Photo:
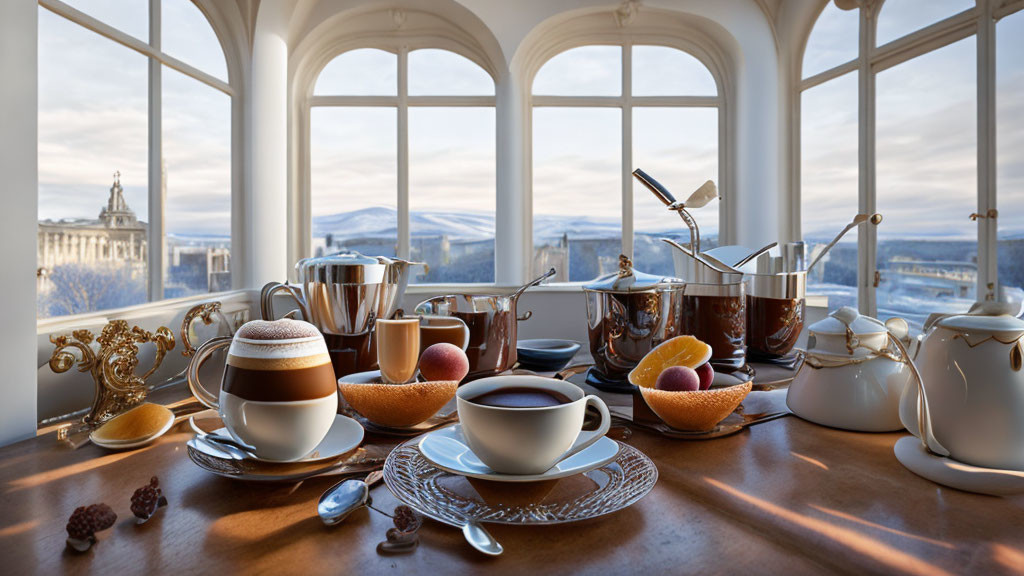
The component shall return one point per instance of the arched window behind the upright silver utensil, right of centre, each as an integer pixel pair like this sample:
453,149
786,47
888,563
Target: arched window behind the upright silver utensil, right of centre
600,112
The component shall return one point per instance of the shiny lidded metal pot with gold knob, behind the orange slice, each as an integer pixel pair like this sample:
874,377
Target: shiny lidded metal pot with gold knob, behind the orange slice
628,314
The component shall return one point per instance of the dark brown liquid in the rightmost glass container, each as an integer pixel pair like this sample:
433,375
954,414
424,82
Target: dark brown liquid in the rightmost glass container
774,325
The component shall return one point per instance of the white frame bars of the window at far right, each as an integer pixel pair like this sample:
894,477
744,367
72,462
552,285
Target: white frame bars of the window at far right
978,22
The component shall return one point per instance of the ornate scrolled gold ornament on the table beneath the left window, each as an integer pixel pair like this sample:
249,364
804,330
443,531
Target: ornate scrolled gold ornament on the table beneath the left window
118,388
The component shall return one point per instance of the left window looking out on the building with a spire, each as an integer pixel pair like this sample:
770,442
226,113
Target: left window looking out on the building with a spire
135,155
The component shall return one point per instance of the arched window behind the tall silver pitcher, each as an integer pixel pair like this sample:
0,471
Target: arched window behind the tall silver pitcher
403,160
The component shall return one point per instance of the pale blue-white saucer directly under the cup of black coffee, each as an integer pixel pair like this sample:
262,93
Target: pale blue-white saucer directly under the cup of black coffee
447,449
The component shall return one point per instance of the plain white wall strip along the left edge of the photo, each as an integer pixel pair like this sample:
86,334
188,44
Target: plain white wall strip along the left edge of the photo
18,220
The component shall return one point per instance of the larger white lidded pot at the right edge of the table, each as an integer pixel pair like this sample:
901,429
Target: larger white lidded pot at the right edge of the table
972,376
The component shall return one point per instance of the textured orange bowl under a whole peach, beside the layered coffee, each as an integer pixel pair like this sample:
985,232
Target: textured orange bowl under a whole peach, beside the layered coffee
398,405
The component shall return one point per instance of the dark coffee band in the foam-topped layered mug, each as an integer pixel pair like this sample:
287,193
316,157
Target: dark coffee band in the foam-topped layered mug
281,386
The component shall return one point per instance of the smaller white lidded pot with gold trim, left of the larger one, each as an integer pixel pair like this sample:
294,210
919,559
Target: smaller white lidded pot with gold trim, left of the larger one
854,376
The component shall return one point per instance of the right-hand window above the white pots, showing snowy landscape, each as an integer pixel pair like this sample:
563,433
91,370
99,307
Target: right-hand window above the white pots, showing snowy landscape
921,157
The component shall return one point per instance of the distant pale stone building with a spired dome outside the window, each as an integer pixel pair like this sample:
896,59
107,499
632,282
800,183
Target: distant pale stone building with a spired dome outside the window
117,238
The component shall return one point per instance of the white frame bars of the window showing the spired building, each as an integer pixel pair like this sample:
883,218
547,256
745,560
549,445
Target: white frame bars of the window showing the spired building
157,60
